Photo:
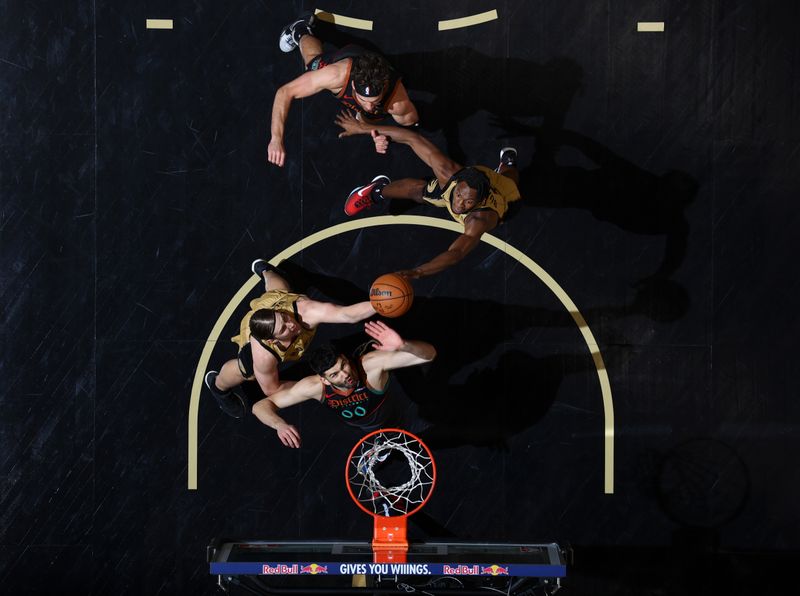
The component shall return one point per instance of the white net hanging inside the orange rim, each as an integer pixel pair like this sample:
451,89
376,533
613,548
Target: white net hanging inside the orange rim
392,500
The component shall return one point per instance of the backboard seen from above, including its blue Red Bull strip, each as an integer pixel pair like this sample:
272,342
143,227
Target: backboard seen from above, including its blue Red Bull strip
436,567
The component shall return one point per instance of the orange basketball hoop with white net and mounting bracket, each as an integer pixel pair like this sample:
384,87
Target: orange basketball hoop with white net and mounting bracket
403,462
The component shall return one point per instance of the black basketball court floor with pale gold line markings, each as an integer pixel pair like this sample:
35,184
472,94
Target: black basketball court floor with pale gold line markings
614,361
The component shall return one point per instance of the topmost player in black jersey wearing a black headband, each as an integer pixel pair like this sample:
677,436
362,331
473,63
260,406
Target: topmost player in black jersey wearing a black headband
361,80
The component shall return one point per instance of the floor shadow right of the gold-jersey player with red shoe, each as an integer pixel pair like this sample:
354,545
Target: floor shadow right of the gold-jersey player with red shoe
615,190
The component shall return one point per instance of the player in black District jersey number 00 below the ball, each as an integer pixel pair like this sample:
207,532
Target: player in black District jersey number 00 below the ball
356,389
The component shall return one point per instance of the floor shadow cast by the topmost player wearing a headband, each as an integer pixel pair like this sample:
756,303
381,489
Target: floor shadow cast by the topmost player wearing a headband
452,84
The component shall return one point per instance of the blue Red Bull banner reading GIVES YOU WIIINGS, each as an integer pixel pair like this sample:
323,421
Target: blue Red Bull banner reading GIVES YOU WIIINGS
422,568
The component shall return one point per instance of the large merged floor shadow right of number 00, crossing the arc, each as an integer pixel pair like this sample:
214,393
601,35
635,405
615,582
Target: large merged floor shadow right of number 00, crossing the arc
518,387
